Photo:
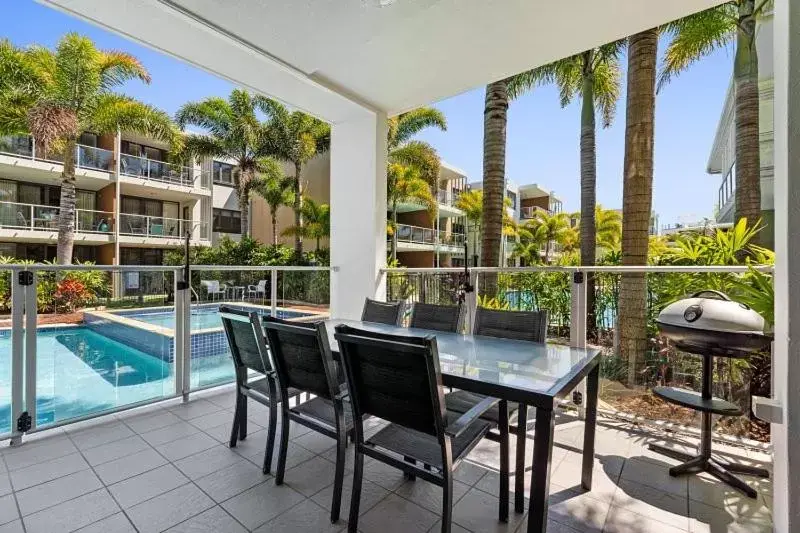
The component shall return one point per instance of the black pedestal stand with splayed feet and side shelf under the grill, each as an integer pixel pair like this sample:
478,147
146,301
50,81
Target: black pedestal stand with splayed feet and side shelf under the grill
720,469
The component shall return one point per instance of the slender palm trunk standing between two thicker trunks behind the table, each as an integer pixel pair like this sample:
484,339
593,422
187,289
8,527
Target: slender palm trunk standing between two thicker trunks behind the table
588,149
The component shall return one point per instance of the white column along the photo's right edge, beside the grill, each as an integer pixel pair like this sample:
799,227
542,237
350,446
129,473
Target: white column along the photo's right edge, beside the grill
786,352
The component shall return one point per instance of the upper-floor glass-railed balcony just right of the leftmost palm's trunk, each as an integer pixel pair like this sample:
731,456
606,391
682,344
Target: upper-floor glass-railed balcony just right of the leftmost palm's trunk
141,176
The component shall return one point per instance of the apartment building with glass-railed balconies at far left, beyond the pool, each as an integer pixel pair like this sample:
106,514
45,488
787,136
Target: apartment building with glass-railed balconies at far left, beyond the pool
132,204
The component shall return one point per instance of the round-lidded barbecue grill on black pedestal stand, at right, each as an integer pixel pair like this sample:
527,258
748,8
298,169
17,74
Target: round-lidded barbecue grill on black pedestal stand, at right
709,324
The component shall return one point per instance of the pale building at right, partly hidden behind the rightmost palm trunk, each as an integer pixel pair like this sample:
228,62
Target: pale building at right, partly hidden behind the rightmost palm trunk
722,160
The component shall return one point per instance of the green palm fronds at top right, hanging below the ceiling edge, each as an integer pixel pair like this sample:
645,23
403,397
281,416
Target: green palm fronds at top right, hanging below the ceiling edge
695,37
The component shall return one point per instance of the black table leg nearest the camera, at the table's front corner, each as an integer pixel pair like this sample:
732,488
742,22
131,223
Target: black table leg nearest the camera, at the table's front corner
540,480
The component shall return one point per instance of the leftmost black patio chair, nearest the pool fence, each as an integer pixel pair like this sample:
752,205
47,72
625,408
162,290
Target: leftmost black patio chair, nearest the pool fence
249,351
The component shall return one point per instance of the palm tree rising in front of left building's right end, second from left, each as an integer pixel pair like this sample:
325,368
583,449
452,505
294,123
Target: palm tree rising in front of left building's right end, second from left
233,132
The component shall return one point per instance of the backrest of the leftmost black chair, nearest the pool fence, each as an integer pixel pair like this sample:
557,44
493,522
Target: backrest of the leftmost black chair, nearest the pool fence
245,338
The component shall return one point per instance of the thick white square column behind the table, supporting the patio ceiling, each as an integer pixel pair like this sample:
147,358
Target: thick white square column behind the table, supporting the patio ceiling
358,212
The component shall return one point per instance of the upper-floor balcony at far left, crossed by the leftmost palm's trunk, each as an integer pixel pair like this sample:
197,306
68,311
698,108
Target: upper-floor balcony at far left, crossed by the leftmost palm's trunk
21,157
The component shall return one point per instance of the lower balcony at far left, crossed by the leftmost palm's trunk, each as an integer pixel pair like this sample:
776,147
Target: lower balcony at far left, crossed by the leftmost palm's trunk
21,222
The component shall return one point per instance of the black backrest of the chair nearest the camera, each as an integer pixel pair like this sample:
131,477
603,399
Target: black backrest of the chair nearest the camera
396,378
